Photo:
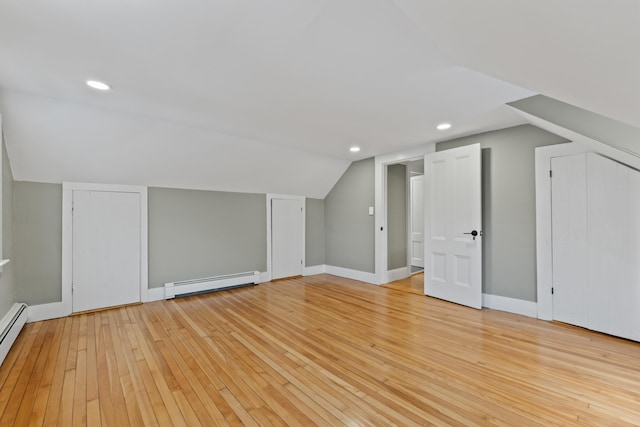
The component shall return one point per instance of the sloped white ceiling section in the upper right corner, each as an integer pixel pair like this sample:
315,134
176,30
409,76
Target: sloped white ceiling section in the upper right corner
584,53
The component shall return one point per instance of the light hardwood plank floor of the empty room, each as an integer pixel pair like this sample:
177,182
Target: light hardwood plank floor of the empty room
319,350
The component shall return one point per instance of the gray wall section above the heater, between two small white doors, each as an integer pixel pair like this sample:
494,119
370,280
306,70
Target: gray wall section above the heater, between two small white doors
194,234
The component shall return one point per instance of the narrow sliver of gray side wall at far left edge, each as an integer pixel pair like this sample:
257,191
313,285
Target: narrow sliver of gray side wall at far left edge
7,281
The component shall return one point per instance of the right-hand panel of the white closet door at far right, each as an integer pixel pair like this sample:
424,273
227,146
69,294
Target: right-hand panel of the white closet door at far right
613,192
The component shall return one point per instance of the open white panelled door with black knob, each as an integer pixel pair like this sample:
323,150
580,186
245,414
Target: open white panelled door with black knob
453,255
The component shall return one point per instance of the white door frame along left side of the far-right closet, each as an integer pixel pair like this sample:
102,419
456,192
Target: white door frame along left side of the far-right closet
544,236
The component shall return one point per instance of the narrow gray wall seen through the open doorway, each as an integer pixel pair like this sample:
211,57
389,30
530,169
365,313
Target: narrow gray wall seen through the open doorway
396,216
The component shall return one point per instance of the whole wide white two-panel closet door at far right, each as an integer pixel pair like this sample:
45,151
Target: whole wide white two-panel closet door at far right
596,244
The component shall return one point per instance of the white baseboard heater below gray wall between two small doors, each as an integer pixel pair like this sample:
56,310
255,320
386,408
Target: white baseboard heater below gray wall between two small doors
198,286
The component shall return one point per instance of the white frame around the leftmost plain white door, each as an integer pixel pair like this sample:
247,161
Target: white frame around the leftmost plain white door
67,237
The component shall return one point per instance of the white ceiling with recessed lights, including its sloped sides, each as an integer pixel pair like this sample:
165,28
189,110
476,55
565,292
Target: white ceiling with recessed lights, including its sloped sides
247,95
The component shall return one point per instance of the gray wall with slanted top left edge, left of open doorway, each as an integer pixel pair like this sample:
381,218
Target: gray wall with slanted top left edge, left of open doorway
349,229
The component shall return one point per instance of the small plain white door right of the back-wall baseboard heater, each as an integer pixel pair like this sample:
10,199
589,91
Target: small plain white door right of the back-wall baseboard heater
286,238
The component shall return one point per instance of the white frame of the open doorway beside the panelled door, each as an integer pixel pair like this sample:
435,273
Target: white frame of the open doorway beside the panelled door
380,171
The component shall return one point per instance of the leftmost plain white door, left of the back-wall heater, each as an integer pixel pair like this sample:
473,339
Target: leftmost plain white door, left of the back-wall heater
106,249
